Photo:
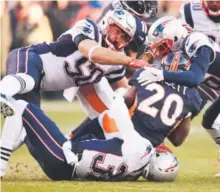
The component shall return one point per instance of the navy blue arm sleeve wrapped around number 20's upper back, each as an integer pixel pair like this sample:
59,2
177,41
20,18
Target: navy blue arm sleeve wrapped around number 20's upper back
195,75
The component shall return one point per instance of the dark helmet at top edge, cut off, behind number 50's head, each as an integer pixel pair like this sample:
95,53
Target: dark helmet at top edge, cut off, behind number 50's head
144,9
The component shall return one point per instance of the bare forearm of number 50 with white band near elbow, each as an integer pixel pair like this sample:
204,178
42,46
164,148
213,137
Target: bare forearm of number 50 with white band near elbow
102,55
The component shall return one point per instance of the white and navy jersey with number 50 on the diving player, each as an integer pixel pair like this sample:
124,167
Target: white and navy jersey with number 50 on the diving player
65,68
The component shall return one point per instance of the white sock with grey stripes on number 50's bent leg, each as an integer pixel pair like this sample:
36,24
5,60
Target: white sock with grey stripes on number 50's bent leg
19,83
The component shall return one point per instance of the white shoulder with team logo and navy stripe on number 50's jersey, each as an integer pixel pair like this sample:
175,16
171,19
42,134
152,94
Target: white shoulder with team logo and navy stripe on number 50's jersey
84,27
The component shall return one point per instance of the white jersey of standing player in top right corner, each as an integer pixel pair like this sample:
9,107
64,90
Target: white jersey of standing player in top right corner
192,14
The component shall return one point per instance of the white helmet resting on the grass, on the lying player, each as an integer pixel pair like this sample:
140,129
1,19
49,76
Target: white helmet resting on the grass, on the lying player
163,167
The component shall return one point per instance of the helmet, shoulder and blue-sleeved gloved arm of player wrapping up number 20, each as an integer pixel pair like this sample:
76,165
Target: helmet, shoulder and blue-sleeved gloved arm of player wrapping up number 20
168,34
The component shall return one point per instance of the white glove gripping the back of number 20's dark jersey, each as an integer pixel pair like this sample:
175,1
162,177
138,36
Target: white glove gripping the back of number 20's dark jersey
150,75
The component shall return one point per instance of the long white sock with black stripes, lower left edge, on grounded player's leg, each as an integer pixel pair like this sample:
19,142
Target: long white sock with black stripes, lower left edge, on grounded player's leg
11,133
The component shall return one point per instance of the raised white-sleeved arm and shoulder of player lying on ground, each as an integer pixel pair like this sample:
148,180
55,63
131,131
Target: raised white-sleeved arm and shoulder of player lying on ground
134,146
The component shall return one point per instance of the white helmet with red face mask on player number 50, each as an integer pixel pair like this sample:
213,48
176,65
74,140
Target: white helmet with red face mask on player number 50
114,20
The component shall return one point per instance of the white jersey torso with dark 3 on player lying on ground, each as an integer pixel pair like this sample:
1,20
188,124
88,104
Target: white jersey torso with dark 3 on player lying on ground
95,165
